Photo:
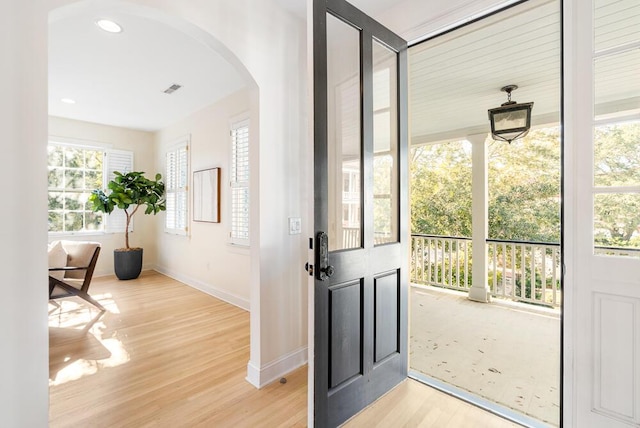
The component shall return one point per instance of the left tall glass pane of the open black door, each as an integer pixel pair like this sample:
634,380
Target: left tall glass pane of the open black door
343,135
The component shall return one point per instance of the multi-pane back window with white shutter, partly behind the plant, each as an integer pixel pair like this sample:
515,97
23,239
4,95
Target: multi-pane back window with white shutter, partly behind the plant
73,172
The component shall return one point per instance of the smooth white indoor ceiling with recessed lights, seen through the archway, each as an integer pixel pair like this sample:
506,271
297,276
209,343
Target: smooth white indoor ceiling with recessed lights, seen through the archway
119,79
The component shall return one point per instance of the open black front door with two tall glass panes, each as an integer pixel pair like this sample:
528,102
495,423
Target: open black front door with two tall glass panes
361,211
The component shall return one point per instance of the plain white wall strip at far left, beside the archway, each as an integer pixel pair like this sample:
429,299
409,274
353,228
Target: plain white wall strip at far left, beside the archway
23,220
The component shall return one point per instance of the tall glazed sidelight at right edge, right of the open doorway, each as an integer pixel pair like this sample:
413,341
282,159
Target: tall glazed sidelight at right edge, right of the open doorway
616,132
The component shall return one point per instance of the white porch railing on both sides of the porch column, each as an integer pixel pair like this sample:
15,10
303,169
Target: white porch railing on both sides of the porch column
522,271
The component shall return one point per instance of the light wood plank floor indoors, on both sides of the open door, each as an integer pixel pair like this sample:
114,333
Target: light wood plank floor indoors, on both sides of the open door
166,355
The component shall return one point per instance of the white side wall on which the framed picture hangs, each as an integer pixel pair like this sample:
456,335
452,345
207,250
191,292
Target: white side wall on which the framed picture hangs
205,259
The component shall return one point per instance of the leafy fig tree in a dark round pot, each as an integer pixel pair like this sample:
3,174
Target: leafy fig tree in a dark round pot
129,192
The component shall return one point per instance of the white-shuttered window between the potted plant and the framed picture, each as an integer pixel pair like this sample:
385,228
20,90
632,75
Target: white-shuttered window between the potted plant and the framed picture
176,181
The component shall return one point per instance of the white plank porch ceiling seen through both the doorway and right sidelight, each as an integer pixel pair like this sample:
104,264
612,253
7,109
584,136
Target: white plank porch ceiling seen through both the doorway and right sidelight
456,78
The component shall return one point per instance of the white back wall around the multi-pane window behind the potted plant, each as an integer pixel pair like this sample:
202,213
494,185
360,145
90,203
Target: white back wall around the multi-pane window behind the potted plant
142,145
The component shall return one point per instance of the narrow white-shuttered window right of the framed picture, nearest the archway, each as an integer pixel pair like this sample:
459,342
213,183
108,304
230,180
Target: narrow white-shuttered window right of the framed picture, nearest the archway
240,183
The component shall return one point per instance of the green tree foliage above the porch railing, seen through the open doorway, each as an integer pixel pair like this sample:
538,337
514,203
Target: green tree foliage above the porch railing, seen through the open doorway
524,188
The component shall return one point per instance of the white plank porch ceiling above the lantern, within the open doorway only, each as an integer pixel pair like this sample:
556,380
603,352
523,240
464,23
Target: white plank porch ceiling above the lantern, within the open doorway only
454,79
